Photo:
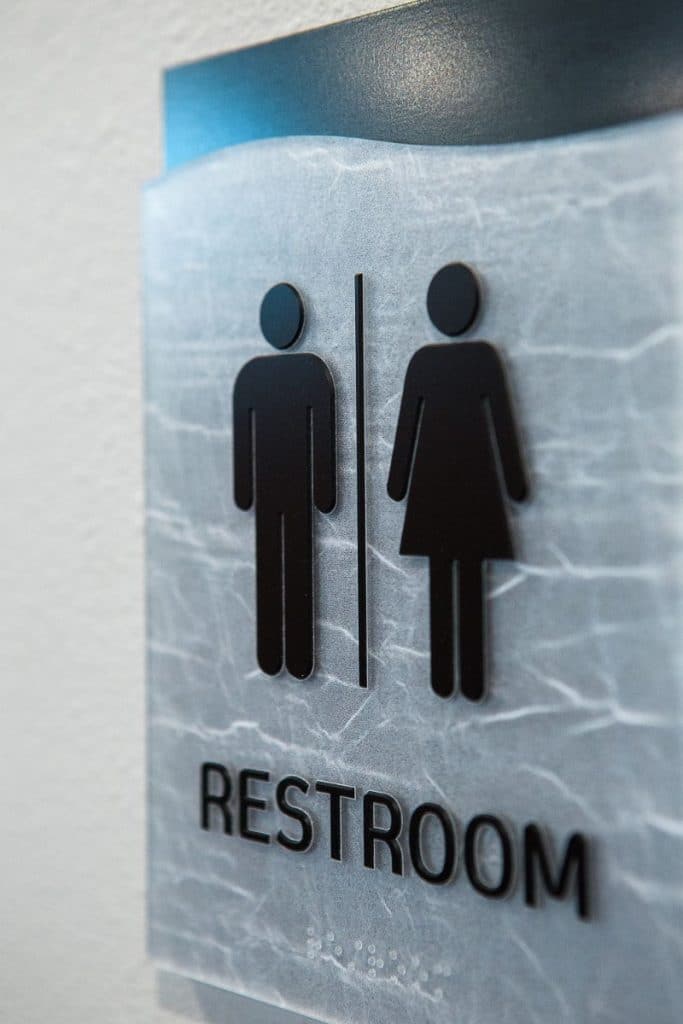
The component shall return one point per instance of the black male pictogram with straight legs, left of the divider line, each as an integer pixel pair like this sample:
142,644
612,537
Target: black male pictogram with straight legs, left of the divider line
284,451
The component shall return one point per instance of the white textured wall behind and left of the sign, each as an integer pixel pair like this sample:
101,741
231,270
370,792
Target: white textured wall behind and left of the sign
80,132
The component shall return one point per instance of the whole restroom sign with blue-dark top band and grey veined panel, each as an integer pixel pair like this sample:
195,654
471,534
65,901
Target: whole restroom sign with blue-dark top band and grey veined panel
412,394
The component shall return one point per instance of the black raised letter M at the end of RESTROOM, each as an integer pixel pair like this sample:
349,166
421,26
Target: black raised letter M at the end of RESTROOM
575,865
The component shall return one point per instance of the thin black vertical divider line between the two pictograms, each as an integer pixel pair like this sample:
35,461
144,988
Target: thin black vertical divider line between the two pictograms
361,481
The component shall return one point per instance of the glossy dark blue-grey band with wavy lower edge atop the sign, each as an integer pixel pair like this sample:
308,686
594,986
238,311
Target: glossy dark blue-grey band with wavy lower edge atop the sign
439,73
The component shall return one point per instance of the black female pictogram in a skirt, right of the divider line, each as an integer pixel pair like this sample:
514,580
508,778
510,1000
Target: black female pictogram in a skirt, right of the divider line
456,428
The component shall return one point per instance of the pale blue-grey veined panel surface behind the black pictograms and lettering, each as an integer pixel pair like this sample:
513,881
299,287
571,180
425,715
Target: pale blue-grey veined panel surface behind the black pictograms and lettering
578,243
